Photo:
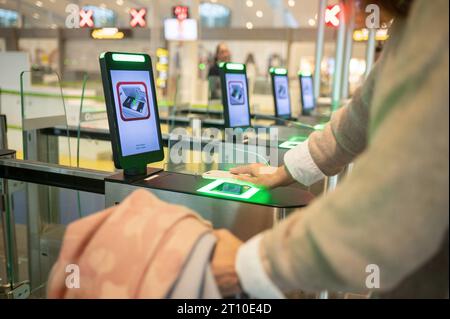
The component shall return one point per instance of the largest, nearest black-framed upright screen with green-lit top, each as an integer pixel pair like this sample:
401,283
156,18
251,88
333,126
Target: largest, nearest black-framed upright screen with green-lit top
132,109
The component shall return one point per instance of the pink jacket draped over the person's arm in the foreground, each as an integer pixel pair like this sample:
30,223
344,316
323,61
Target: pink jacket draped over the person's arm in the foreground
134,250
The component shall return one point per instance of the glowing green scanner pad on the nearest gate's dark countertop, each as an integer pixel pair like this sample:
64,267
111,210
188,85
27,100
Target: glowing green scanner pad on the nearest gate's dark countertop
230,188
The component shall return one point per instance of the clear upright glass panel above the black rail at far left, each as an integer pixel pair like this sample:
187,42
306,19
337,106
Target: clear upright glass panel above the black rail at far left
45,116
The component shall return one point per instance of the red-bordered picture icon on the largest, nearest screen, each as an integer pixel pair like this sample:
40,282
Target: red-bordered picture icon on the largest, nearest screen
133,101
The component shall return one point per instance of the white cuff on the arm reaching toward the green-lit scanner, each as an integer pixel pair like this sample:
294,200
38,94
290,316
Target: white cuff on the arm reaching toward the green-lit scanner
301,166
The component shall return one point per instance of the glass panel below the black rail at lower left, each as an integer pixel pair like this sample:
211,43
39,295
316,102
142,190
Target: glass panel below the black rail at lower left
40,216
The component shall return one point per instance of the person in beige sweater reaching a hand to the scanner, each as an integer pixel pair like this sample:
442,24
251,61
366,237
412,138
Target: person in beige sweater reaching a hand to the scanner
391,213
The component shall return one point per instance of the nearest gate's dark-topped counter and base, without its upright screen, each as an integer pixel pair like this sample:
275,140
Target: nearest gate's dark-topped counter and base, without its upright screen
244,210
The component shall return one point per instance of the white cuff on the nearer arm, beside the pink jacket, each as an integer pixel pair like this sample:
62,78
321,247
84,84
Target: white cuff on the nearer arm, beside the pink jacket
252,276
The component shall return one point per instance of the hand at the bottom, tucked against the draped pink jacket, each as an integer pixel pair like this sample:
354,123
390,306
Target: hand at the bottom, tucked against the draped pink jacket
223,263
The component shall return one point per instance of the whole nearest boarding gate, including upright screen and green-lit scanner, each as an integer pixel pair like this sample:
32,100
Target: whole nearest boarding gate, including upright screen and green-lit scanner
241,208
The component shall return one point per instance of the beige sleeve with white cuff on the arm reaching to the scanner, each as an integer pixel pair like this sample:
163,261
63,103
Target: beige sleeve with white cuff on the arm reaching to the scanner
327,152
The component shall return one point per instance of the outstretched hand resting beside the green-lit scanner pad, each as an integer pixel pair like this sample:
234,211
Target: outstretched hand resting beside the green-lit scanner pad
255,174
